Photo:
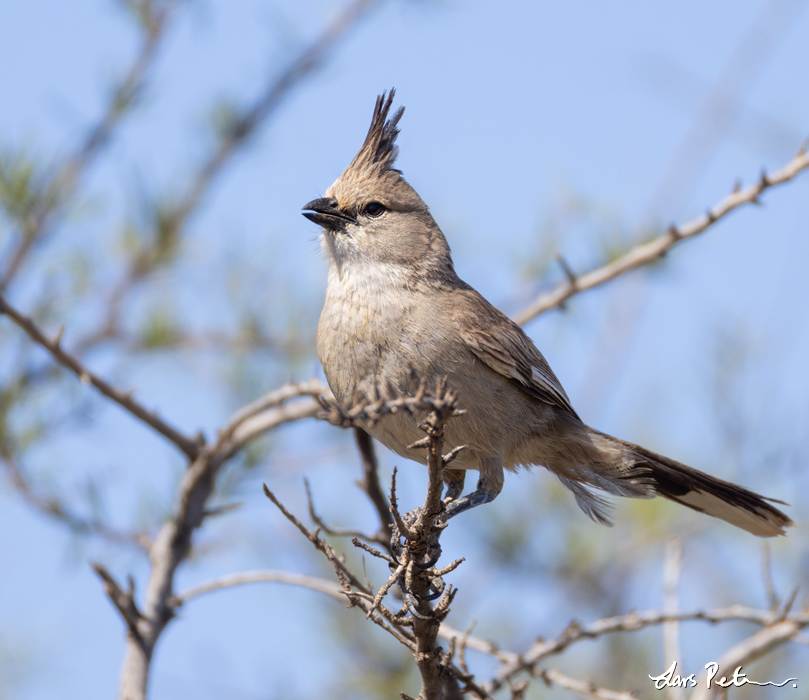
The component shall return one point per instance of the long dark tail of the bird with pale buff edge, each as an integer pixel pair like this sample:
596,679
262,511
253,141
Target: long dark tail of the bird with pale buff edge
695,489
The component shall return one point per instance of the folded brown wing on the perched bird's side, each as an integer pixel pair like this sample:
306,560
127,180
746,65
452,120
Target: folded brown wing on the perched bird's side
504,347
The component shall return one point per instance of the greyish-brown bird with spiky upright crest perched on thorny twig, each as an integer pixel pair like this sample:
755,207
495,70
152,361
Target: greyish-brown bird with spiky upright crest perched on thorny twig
396,311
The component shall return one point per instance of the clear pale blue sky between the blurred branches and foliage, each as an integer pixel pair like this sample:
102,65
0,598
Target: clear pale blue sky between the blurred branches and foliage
512,110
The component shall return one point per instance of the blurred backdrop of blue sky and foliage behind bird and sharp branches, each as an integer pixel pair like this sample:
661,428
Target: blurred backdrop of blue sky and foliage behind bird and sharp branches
531,129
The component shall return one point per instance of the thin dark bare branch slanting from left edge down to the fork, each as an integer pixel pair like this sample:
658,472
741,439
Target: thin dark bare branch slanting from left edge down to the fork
190,447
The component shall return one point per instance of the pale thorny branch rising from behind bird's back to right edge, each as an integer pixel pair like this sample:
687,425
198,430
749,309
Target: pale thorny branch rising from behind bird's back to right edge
650,251
